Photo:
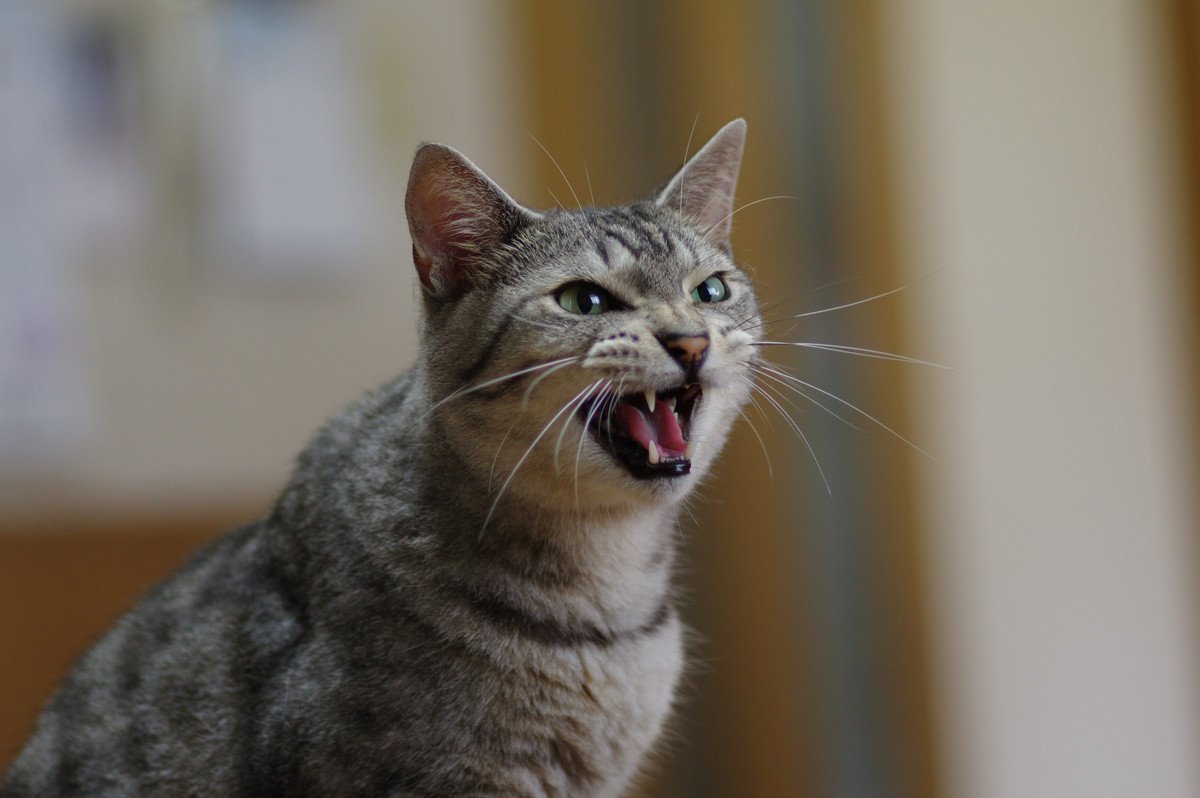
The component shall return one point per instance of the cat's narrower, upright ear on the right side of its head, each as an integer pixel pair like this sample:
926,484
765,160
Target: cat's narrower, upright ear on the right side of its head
703,191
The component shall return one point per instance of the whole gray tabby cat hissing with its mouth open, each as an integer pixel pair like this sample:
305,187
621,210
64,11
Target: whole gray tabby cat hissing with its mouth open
465,589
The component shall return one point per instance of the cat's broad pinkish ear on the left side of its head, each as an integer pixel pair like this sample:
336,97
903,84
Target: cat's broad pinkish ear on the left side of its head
457,217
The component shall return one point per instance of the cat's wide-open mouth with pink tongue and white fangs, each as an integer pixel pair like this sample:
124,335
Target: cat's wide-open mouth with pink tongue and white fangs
647,431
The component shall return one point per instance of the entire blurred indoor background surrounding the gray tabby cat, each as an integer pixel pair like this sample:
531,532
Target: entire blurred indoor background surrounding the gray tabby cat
975,581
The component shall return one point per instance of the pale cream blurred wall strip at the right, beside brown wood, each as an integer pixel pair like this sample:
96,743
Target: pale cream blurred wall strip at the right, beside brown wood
1036,179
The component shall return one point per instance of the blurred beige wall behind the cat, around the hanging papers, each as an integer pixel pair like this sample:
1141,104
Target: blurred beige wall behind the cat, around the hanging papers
202,385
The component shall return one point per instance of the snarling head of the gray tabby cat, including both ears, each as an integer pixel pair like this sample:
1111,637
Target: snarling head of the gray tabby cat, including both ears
584,358
